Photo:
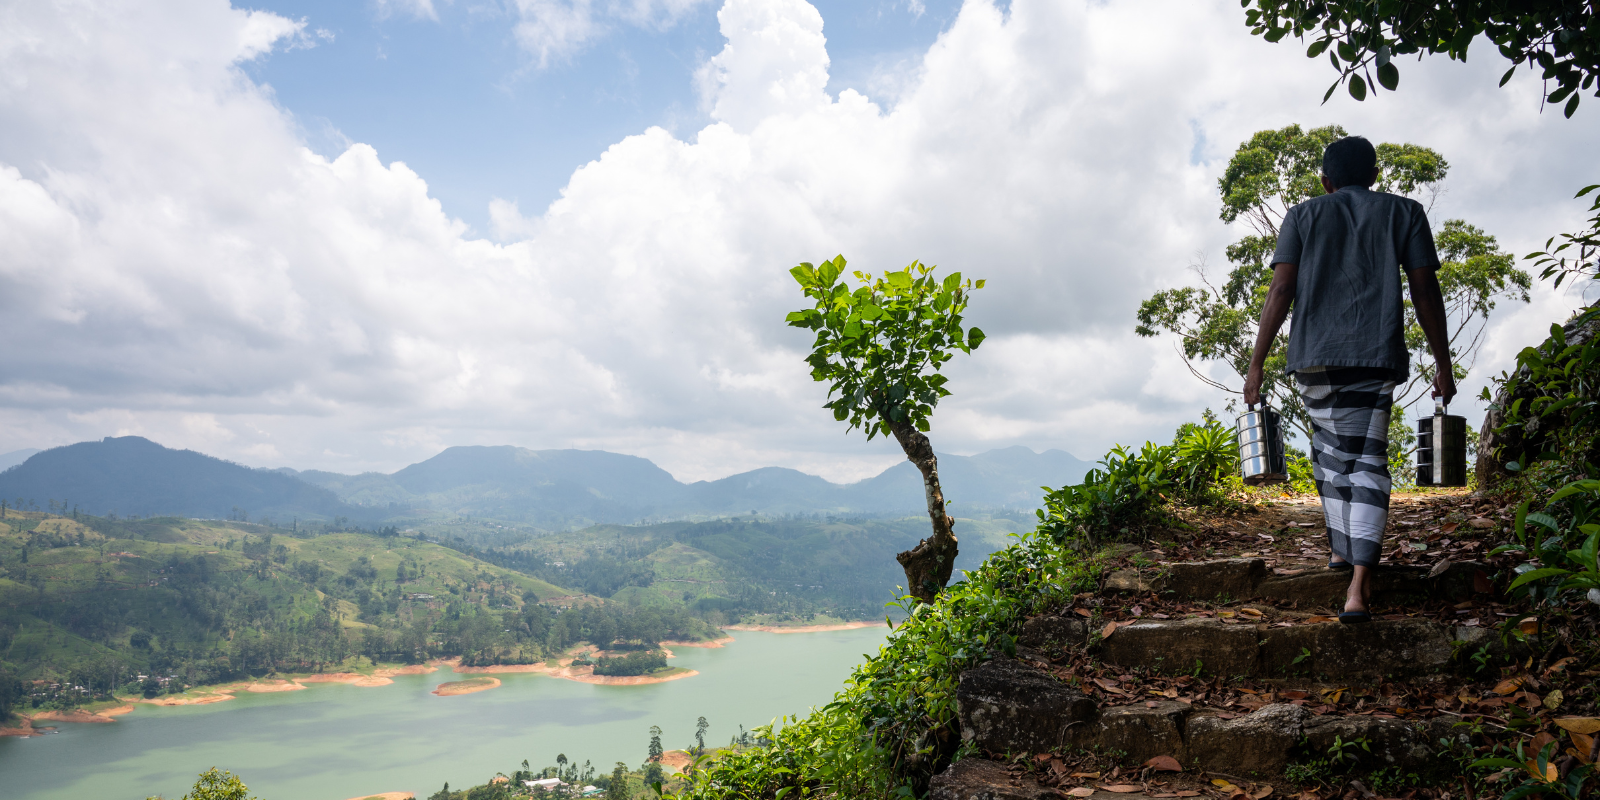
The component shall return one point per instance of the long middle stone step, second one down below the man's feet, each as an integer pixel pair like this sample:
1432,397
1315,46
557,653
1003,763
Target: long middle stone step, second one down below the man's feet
1394,649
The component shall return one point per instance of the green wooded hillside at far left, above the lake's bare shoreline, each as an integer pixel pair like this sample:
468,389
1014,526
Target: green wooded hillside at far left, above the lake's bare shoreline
98,601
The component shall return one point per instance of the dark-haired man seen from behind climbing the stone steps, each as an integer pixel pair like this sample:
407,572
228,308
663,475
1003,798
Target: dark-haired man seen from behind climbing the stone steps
1338,266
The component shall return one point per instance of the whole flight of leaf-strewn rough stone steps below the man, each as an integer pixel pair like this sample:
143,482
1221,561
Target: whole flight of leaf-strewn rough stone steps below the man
1154,700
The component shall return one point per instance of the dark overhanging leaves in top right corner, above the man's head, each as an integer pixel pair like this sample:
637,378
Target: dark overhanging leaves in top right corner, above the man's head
1362,38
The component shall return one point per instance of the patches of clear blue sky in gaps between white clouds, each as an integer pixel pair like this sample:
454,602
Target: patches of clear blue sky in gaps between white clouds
462,103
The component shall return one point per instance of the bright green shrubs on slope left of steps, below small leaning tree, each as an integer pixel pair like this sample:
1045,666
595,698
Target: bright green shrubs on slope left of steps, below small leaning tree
895,722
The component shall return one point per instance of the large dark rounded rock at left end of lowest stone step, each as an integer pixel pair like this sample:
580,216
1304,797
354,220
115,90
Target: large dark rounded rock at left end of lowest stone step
1007,706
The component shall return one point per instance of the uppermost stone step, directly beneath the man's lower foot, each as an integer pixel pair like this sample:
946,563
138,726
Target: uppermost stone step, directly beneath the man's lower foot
1252,580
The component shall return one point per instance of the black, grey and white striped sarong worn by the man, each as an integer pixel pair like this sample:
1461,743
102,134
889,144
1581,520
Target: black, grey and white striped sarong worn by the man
1350,455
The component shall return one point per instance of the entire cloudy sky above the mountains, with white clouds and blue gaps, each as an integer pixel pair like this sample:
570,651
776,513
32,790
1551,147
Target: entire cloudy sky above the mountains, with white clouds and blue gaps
348,236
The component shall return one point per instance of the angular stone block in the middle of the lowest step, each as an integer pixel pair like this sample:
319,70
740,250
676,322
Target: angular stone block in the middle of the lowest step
1255,746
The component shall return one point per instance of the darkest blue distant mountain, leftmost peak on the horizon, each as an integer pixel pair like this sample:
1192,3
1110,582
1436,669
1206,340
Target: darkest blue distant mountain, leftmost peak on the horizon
134,476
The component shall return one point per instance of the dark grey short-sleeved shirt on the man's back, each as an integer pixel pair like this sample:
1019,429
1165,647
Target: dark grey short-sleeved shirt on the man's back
1350,247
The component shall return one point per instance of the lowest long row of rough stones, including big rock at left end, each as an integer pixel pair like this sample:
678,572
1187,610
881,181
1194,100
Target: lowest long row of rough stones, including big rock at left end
1007,706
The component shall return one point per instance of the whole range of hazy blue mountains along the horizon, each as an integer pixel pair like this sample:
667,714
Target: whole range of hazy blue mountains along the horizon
548,489
